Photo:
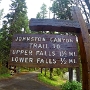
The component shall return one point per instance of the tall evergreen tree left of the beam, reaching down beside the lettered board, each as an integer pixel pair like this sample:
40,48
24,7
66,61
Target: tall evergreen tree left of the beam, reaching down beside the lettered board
17,21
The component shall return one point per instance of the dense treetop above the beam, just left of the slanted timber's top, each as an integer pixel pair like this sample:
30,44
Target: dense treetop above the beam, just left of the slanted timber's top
61,9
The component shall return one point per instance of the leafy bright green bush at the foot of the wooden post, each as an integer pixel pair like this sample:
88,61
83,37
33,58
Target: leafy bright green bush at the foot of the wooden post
74,85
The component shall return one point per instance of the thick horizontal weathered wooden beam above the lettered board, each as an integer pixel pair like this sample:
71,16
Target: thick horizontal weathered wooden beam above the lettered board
55,25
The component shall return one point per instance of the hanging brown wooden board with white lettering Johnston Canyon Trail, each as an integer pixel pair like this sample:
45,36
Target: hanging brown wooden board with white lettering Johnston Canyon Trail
44,50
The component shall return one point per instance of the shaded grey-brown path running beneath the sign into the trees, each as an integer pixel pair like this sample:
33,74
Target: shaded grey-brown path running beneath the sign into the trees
26,81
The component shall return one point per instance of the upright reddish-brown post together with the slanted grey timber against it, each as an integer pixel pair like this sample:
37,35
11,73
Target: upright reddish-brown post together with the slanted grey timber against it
84,42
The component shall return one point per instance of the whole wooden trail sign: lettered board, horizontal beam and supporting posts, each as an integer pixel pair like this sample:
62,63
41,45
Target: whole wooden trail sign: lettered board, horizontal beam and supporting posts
58,57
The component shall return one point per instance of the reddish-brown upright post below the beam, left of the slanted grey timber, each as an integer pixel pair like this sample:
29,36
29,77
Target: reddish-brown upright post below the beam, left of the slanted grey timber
84,63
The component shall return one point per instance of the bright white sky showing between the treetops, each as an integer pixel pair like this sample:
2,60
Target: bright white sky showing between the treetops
32,5
